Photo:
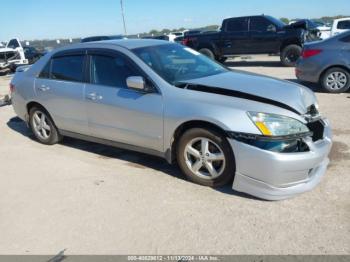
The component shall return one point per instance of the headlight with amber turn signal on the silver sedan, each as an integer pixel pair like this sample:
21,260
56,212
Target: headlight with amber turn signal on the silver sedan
277,125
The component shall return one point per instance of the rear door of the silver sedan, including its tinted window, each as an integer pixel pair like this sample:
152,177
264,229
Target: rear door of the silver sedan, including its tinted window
60,88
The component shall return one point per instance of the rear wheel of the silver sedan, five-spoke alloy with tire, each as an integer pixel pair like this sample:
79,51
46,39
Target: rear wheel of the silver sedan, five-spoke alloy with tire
43,127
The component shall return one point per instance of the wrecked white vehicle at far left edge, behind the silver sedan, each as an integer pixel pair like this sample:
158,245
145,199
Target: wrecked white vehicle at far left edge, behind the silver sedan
12,54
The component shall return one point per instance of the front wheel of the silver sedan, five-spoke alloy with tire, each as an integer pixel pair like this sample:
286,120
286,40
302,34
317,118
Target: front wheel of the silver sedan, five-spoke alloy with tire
206,157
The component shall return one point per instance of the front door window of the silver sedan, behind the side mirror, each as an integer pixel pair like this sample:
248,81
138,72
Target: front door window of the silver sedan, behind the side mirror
111,71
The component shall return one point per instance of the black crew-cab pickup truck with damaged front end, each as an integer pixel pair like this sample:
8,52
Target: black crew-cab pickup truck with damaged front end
251,35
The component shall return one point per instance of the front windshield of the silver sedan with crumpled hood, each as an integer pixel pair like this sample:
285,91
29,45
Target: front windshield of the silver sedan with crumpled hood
176,63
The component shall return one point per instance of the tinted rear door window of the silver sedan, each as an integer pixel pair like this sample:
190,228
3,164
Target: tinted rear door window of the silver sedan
69,68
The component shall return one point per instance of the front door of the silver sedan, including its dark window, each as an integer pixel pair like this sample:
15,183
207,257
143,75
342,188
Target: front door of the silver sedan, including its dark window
116,112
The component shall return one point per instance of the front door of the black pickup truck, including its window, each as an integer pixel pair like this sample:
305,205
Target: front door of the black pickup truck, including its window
263,36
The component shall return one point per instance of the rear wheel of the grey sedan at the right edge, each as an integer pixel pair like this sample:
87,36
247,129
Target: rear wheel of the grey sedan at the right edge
335,80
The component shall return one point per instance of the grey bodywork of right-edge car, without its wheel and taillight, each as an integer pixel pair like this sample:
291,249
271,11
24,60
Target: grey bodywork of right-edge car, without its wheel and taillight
334,53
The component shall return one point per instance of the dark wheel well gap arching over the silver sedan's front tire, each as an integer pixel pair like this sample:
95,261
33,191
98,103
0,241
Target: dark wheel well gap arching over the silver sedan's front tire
171,153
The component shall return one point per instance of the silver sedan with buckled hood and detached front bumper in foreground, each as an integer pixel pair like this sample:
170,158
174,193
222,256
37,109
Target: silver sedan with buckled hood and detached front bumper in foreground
221,126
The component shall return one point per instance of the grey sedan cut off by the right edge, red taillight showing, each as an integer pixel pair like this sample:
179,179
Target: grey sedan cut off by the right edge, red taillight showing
327,62
